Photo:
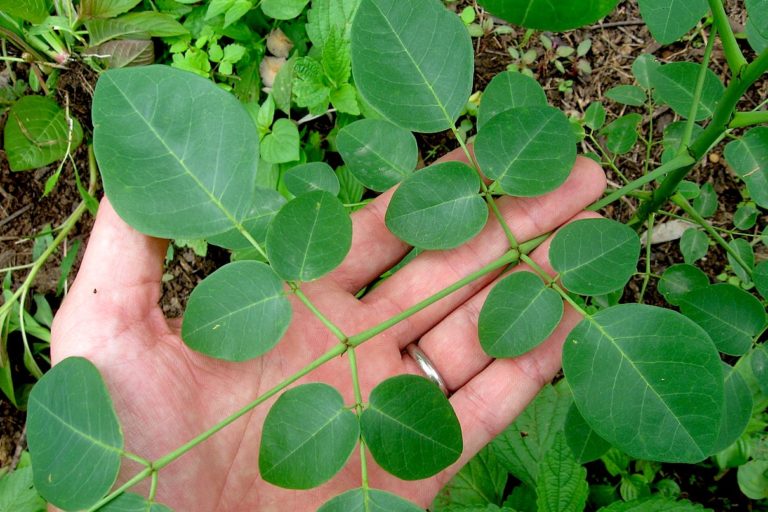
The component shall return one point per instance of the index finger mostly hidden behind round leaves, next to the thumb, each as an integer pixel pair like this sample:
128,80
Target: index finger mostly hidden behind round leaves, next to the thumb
374,248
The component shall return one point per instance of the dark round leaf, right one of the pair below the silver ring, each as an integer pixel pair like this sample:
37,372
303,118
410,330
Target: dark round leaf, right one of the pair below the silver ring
411,412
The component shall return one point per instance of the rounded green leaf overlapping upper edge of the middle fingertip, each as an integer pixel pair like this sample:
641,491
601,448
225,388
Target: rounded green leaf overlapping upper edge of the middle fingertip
529,151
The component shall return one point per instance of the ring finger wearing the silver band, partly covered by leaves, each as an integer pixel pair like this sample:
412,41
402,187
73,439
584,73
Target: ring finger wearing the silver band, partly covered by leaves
453,345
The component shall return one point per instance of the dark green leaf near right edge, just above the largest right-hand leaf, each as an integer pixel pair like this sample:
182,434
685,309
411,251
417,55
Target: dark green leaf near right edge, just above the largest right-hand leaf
731,316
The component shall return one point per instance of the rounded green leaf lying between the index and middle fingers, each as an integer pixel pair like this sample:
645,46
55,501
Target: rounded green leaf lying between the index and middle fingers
438,207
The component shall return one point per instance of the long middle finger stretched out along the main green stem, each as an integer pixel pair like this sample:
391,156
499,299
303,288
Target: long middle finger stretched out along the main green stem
431,272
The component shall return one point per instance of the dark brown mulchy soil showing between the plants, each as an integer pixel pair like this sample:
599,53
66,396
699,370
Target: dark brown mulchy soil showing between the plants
616,43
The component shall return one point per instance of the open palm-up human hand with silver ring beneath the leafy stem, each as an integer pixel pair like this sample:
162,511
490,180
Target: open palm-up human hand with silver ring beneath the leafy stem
165,393
